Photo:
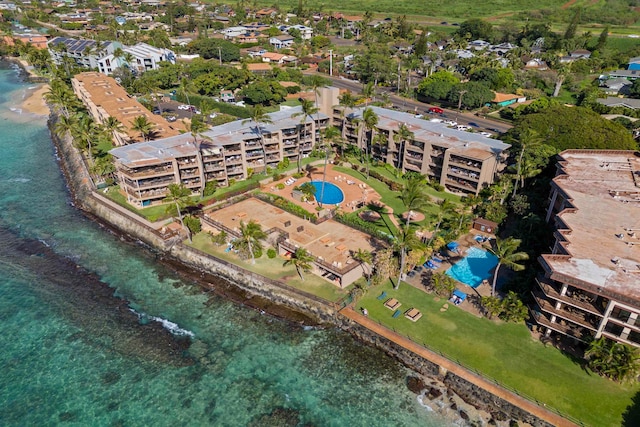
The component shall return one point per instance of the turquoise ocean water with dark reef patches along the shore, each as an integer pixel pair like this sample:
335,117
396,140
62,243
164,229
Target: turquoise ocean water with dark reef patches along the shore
72,353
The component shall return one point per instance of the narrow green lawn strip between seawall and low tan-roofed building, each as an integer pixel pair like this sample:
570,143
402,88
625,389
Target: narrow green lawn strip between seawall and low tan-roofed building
274,269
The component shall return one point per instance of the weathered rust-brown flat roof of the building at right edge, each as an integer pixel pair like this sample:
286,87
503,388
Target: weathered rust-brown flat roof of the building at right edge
604,237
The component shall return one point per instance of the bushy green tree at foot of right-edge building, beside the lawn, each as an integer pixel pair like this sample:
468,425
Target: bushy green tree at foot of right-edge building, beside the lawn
617,361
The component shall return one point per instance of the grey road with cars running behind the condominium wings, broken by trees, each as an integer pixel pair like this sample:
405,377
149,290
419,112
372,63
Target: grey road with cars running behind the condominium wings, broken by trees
412,105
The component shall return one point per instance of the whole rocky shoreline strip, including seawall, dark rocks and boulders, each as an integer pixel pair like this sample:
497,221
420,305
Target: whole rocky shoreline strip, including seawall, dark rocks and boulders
468,405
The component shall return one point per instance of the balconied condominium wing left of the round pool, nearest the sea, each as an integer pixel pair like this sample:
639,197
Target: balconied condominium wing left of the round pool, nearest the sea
223,154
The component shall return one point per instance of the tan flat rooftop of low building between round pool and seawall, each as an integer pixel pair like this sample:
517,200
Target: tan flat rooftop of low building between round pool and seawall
331,241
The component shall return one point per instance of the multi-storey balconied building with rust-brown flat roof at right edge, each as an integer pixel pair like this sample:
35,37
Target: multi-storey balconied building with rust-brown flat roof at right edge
590,282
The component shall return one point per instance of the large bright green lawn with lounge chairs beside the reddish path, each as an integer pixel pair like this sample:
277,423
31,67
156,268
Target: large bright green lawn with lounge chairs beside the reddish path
505,352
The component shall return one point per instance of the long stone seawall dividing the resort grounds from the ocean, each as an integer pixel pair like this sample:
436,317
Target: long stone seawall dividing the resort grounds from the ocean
81,187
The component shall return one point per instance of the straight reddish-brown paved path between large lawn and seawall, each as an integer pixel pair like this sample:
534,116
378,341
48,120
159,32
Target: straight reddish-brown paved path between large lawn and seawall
458,370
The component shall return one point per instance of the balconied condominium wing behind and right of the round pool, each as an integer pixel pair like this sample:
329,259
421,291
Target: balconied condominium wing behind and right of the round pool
463,162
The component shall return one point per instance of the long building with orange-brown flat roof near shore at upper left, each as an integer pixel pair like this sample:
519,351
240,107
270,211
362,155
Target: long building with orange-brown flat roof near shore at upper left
105,98
